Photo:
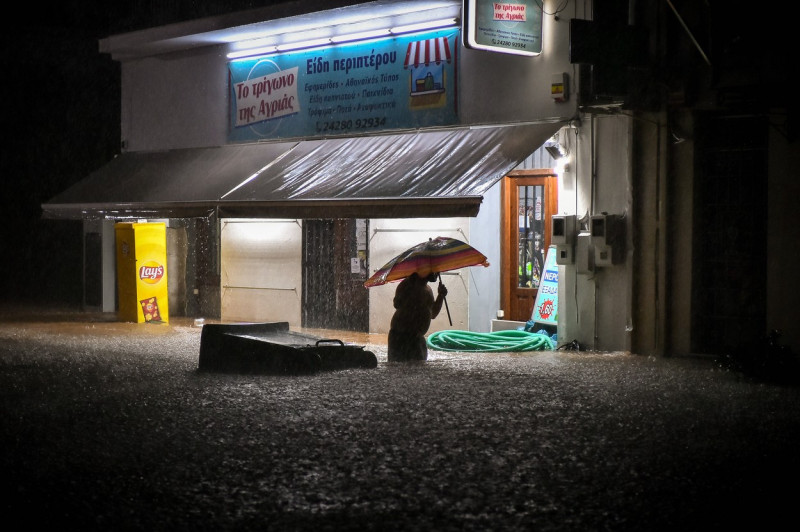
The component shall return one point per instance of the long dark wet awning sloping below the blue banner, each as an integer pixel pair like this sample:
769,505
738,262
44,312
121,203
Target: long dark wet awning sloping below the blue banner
426,173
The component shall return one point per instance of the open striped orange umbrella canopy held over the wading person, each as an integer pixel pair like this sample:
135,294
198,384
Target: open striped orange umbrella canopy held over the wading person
437,255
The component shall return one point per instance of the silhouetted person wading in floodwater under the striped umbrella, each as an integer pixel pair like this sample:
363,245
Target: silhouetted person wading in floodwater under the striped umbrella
415,307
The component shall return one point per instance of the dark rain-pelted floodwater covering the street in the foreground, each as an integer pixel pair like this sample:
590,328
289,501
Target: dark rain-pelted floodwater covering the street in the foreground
109,426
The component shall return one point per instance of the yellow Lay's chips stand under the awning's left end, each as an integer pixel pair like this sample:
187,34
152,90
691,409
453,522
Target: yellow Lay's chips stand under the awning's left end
142,272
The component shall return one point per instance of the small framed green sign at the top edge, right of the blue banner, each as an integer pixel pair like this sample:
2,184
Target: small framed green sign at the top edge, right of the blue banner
507,27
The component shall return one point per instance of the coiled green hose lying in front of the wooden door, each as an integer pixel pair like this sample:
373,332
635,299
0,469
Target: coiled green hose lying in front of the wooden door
509,340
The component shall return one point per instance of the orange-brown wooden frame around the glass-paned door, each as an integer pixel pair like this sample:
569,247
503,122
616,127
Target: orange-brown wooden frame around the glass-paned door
509,229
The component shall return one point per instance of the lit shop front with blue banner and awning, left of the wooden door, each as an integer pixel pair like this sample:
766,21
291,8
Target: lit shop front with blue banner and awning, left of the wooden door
421,170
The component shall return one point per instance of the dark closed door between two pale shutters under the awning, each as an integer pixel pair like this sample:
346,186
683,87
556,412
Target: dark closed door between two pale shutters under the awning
334,271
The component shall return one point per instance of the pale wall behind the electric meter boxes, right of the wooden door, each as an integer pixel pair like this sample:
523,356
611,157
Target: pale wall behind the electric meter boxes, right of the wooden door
595,302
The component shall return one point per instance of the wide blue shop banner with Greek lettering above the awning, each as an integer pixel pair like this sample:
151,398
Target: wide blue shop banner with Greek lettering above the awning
402,82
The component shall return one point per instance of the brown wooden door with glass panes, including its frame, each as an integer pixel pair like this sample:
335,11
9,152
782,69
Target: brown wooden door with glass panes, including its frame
530,198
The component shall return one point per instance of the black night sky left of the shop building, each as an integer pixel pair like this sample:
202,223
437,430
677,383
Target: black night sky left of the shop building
61,120
